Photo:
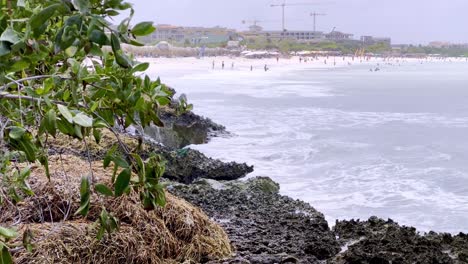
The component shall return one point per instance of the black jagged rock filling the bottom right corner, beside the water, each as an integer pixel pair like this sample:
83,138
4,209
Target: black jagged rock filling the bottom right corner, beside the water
380,241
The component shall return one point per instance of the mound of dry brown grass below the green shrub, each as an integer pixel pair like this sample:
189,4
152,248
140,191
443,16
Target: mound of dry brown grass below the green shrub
177,233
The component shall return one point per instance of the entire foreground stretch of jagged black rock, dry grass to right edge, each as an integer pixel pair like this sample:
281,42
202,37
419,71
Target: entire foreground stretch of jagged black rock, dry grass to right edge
266,227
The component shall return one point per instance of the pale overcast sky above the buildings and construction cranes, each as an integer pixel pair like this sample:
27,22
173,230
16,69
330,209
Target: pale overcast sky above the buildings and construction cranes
405,21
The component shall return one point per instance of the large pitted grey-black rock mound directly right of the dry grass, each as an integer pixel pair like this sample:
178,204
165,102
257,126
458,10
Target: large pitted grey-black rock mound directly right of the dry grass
264,226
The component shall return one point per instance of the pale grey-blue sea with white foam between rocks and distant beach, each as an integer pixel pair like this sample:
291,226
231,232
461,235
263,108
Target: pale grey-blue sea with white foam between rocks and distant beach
351,142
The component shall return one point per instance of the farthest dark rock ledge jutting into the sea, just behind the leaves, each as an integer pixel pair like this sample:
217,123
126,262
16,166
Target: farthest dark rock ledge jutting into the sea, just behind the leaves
183,130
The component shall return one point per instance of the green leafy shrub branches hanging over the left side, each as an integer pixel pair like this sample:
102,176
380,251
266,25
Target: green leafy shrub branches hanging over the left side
63,70
